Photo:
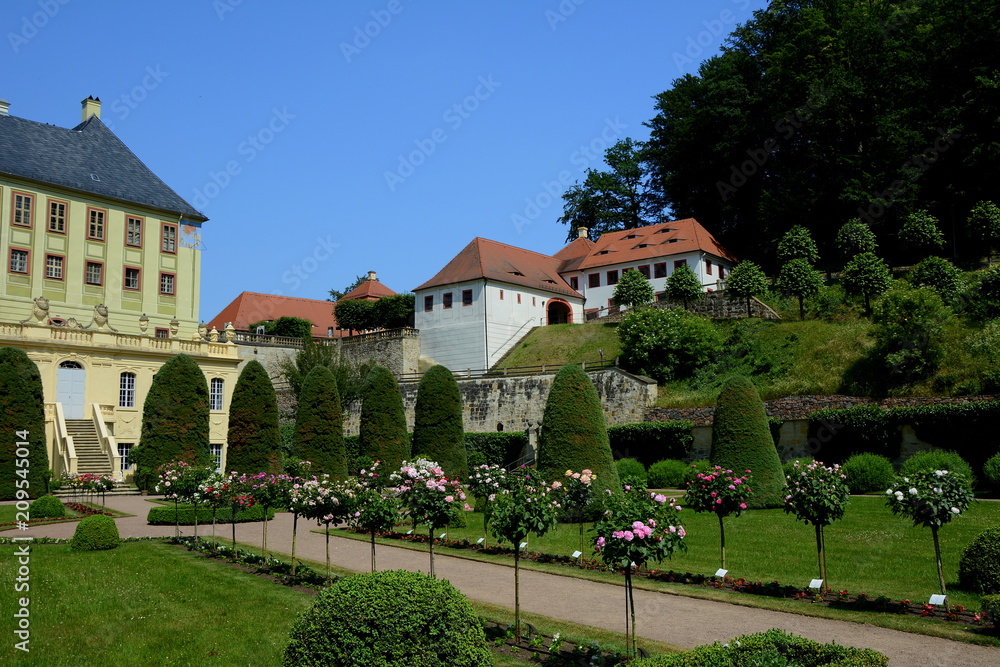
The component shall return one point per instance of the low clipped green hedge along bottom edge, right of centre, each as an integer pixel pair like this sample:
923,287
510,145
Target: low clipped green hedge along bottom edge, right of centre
774,647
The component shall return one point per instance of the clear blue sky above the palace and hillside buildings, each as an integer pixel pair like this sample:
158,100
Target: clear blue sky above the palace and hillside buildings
326,139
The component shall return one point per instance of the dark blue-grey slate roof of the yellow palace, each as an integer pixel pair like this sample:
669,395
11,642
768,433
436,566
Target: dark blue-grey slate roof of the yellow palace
67,158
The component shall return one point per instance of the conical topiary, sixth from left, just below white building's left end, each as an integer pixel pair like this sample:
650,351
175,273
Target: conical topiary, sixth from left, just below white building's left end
438,434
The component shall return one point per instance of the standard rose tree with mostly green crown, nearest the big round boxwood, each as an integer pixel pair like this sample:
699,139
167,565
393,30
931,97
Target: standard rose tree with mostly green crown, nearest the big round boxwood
527,506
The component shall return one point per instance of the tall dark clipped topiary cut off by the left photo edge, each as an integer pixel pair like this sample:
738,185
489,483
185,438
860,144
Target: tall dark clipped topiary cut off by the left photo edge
24,459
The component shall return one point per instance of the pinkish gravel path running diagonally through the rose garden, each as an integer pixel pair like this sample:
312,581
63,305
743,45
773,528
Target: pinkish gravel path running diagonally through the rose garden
678,620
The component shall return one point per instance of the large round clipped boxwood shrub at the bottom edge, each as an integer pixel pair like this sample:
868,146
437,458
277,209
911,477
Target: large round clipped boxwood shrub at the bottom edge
385,619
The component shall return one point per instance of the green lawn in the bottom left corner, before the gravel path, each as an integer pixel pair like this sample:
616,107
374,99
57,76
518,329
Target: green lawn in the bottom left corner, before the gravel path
149,602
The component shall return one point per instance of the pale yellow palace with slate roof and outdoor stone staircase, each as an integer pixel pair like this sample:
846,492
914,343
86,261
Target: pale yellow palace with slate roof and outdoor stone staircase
100,286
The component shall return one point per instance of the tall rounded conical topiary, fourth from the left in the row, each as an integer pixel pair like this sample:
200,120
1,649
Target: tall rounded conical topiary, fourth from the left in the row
319,425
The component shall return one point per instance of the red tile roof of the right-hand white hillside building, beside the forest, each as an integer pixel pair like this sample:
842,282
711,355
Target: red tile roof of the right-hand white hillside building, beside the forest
645,243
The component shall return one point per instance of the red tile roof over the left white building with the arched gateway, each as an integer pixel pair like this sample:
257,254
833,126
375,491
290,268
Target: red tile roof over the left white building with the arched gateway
500,262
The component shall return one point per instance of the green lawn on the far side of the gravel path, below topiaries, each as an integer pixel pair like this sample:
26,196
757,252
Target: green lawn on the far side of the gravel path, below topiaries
870,550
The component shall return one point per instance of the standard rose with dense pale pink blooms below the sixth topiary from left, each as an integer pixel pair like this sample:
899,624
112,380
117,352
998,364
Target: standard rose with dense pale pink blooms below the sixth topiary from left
429,496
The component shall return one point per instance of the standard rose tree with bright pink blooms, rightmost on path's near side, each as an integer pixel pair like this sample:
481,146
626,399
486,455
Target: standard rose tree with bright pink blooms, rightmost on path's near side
634,530
